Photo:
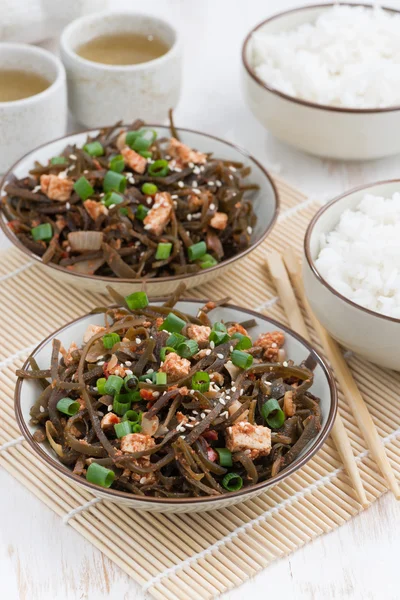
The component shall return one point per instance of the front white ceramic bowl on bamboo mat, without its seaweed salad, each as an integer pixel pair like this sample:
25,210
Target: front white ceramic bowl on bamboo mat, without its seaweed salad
297,348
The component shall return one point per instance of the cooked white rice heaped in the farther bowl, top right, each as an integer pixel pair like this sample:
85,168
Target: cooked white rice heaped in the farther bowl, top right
349,57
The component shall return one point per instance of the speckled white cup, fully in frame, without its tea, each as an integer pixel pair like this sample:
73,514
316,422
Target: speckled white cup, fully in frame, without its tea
102,94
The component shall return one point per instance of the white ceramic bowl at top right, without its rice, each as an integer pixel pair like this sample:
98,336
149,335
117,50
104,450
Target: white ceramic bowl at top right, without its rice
328,131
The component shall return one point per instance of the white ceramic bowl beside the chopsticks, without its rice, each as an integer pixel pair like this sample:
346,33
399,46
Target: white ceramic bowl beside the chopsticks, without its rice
368,333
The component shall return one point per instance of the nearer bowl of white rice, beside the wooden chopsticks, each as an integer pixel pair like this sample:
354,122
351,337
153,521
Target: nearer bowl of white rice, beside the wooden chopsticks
351,270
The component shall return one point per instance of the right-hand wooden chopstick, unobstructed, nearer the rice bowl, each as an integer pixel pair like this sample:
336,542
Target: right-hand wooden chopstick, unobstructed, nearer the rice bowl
346,380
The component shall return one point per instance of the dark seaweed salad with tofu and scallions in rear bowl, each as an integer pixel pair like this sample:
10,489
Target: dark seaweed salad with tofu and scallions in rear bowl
132,205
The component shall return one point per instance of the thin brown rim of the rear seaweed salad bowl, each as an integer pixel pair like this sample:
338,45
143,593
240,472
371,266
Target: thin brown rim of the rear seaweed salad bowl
114,280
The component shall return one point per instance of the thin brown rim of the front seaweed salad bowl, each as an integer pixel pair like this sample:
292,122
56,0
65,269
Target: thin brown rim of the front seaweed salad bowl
120,495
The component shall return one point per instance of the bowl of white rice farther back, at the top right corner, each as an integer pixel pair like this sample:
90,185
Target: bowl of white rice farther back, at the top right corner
326,79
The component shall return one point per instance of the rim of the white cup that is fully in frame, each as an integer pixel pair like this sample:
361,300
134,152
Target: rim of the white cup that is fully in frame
69,30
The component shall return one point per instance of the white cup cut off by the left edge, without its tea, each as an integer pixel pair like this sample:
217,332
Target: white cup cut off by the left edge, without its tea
30,122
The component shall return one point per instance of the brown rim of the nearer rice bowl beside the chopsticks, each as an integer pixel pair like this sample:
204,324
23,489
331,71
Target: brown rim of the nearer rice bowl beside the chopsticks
310,260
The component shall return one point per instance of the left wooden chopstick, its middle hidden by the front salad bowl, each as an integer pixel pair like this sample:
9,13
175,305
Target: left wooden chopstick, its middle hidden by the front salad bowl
296,321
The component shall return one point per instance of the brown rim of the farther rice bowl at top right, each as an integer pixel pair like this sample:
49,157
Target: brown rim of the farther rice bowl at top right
308,103
